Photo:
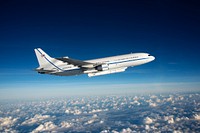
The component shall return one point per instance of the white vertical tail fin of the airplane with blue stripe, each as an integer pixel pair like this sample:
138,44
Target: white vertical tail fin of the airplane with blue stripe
43,58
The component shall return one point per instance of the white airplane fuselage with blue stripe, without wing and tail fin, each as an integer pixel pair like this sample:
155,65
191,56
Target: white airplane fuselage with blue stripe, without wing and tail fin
112,64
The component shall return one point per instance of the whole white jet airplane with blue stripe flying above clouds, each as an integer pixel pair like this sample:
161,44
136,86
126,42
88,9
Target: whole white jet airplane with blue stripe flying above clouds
65,66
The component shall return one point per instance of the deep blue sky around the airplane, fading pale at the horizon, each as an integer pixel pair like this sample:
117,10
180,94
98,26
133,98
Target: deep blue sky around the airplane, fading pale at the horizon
167,29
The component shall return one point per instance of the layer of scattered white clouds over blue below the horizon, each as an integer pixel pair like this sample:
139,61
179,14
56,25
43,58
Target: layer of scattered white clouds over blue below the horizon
116,114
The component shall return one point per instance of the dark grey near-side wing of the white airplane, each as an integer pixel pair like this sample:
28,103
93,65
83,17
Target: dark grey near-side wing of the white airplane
76,62
